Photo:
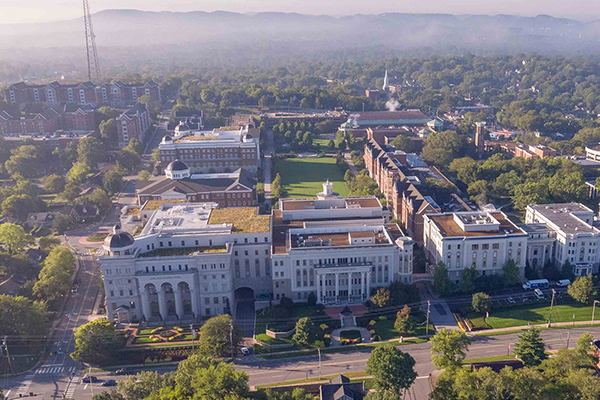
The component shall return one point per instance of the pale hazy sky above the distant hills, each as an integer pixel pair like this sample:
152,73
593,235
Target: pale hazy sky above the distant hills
17,11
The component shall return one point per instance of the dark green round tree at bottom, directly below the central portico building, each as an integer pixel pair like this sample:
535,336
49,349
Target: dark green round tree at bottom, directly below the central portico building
392,369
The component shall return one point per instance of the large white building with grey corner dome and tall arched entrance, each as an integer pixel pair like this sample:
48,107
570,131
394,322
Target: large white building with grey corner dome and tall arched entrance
190,261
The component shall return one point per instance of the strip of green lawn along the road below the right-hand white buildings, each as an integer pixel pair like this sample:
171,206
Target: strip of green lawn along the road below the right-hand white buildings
534,314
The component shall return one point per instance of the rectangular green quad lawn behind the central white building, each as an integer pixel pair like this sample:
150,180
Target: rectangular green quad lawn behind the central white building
304,177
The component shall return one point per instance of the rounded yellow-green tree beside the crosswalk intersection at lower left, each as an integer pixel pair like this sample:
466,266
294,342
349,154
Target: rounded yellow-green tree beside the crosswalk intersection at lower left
97,342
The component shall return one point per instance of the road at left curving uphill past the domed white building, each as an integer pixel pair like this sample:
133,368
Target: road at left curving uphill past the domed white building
59,376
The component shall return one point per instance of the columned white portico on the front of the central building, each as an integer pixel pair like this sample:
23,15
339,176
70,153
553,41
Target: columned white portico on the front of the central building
343,283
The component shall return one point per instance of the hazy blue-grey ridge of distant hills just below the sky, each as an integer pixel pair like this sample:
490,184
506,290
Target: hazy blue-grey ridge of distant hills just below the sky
394,30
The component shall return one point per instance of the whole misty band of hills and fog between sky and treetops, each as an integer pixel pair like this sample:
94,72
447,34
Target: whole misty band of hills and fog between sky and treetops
137,38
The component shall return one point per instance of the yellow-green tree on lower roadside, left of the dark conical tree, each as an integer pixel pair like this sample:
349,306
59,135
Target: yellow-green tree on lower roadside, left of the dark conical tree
448,348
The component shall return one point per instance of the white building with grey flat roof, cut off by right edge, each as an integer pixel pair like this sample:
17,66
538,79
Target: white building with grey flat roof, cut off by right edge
576,239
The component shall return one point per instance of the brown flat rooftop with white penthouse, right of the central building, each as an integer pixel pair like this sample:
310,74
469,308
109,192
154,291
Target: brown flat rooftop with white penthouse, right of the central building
481,225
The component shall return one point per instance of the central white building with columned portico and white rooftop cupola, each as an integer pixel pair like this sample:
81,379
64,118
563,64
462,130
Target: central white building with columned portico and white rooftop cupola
337,248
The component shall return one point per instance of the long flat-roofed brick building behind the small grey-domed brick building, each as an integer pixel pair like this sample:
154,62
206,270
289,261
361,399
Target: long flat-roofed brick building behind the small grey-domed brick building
219,150
